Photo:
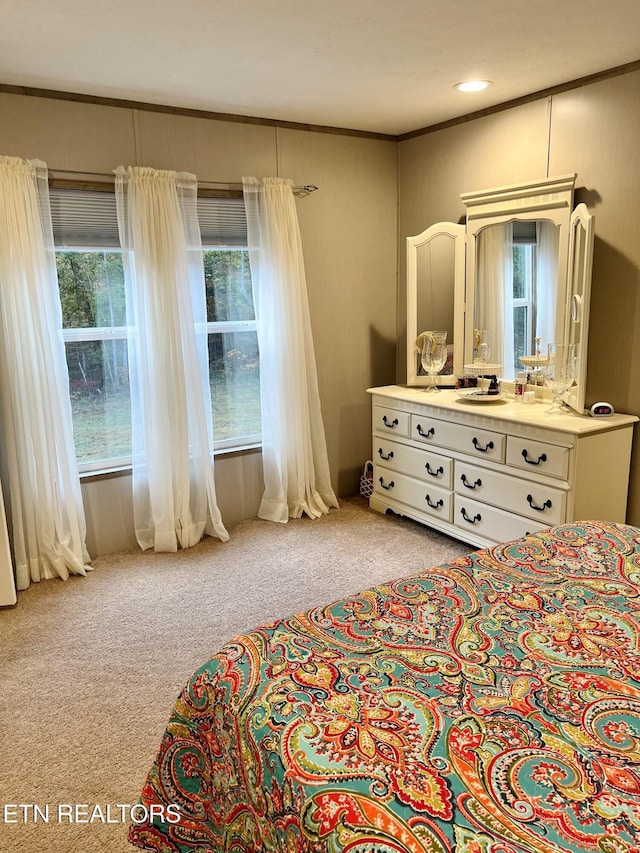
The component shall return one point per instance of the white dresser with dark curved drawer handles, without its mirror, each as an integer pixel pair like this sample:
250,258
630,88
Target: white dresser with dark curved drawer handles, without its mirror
491,472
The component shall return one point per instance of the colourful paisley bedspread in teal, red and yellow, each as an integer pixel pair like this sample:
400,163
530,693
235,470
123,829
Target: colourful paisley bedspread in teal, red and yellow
490,705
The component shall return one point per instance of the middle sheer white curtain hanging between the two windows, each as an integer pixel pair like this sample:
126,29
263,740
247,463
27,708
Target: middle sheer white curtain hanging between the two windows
173,486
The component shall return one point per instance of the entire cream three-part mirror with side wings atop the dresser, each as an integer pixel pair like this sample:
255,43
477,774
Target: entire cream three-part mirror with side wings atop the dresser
525,279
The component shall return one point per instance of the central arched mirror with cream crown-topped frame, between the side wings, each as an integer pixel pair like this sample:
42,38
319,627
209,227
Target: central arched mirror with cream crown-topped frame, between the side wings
517,260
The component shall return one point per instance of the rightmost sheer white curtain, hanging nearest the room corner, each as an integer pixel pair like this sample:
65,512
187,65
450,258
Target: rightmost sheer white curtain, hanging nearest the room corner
294,452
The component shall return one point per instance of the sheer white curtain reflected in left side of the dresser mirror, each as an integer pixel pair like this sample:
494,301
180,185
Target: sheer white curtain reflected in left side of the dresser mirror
494,311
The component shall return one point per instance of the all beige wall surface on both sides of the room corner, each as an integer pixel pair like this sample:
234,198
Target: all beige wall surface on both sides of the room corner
373,194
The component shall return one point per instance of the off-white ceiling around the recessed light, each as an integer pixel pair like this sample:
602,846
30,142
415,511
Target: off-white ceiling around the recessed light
385,66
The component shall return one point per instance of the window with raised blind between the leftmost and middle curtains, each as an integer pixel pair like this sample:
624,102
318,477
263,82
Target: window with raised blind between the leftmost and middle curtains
91,283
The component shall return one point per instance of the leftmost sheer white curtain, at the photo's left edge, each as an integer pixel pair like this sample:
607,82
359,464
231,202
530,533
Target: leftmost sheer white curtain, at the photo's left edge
46,512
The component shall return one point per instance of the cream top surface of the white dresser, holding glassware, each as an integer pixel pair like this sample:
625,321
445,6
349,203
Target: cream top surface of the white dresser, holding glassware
535,414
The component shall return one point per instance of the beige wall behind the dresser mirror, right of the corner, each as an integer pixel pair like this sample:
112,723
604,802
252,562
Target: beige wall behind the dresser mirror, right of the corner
593,131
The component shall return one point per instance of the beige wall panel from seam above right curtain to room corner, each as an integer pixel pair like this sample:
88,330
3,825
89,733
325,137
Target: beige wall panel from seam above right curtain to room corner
351,280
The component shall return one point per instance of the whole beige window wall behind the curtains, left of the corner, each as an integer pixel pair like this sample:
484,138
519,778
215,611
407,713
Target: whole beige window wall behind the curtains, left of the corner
349,234
